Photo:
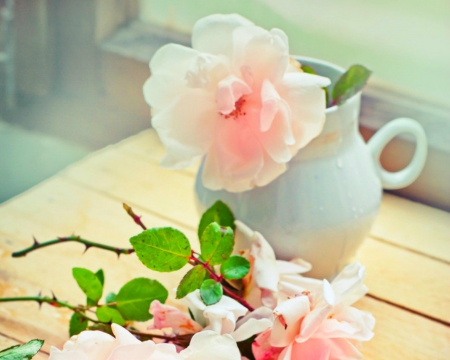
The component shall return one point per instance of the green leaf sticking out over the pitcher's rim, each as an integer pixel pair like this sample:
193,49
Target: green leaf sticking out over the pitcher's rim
350,83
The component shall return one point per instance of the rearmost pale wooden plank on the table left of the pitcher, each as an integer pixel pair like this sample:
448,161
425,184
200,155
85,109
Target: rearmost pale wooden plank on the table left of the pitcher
164,192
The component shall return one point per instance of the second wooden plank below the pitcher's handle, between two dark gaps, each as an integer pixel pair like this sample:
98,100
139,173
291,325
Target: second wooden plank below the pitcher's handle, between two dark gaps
406,278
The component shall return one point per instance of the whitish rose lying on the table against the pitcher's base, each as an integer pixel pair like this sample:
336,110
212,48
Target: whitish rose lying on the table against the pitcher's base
268,277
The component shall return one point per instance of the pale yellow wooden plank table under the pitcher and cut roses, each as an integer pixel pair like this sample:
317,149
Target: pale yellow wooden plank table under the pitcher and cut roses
407,253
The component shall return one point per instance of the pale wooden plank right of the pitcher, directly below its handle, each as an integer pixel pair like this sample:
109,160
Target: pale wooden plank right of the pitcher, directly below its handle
414,226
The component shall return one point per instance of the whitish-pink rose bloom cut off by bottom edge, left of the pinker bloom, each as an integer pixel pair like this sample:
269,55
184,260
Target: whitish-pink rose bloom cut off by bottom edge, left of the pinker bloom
96,345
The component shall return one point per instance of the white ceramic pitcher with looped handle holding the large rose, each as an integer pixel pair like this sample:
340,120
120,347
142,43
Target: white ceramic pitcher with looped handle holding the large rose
323,206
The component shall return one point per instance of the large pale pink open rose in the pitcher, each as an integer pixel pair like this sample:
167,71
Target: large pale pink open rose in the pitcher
236,99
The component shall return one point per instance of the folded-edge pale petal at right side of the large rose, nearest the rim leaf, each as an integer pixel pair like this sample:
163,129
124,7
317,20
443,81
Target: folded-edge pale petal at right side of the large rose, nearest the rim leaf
306,98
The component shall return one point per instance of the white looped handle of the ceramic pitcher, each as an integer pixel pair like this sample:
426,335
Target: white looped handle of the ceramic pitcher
402,178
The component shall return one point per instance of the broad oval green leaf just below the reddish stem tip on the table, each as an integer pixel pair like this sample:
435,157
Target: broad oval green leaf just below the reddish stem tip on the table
162,249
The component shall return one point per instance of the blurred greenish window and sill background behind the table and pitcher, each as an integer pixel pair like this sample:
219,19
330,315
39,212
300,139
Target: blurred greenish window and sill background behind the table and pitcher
71,73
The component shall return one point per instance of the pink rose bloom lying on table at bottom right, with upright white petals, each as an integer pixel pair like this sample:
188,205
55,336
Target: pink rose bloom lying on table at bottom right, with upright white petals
320,326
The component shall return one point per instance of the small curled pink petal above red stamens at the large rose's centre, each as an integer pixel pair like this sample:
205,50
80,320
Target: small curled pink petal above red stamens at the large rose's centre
229,91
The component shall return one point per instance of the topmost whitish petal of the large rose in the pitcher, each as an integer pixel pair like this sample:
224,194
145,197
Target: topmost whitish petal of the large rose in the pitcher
214,34
